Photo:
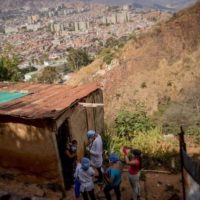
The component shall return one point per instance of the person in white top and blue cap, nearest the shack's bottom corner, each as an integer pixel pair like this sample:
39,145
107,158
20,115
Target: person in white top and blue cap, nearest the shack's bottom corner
85,174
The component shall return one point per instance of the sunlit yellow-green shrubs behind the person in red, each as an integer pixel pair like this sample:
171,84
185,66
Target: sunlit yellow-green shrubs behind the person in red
156,148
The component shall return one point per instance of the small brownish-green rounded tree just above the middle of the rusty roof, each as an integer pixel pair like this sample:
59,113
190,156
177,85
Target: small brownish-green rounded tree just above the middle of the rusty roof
49,75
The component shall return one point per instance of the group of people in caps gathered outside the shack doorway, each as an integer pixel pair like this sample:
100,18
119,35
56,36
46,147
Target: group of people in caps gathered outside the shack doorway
110,177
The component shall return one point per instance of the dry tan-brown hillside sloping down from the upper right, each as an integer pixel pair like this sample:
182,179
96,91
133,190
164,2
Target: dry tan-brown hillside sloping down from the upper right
159,70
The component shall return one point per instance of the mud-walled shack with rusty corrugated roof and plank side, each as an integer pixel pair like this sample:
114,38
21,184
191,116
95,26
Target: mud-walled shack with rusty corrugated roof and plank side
37,120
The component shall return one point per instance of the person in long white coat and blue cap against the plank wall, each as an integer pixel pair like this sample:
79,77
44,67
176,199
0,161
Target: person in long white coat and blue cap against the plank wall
95,150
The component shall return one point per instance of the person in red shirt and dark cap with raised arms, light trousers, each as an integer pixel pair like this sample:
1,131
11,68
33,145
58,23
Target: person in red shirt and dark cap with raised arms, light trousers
134,171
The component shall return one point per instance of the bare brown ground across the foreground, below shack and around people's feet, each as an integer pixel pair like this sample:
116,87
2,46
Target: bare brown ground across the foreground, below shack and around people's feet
155,186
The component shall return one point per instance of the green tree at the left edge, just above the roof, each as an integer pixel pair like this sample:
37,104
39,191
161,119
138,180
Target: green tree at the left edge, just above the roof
9,70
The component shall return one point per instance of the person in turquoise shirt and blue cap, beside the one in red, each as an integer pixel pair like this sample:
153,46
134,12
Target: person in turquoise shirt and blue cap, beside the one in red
113,177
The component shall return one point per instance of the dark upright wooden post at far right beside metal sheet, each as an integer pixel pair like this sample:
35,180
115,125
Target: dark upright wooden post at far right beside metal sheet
182,147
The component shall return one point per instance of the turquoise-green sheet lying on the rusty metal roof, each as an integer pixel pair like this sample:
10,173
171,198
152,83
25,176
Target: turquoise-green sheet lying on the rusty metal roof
9,96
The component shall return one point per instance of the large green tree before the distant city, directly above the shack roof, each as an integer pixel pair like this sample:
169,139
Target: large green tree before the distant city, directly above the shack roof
77,58
